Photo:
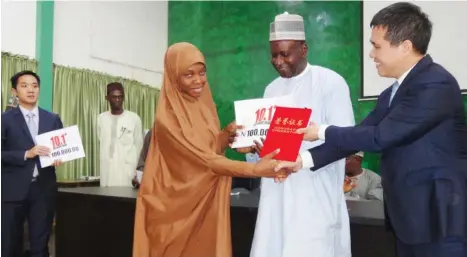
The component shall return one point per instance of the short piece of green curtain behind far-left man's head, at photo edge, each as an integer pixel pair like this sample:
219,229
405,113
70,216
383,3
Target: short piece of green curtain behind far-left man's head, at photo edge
12,64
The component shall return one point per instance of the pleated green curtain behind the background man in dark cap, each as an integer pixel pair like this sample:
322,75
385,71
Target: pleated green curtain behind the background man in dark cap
79,97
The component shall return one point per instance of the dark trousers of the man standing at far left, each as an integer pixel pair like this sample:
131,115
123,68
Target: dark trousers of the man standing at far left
38,209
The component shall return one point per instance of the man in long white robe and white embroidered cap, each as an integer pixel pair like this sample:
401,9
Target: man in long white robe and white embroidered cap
306,215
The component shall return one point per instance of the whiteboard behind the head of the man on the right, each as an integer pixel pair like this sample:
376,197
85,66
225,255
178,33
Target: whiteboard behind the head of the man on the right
448,45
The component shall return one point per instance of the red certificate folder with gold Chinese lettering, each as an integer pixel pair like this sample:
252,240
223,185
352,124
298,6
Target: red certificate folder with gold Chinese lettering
282,132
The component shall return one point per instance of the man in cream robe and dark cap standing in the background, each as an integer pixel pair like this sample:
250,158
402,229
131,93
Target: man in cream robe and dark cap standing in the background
120,135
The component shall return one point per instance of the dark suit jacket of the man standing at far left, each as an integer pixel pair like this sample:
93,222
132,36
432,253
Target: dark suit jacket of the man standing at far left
16,140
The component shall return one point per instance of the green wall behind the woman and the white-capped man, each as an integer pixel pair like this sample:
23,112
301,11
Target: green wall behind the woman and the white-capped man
234,38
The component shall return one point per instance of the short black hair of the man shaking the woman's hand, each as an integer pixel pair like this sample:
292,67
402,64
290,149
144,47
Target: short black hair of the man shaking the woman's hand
405,21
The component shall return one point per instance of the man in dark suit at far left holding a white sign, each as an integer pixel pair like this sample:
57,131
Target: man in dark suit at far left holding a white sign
28,190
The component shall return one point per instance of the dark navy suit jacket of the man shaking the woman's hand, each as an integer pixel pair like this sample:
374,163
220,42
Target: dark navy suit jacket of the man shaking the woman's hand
423,140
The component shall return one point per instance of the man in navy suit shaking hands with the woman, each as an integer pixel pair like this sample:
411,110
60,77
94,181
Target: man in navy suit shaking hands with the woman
419,127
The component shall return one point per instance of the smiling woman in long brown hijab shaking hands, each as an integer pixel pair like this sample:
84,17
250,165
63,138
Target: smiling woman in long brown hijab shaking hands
183,206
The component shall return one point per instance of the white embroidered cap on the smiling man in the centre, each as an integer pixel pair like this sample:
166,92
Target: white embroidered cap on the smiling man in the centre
287,27
